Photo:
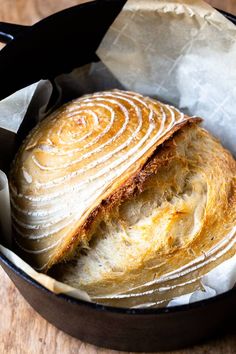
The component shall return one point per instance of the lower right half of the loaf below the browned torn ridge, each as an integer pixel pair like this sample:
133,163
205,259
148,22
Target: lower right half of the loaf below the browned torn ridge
156,243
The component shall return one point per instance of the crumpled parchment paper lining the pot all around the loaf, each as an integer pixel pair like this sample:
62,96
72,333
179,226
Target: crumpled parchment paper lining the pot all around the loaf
181,52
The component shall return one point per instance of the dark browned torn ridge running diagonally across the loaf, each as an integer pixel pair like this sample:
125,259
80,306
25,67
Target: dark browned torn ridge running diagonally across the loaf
116,194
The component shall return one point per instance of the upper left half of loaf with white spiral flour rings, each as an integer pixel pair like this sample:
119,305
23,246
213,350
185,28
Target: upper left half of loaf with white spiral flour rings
73,157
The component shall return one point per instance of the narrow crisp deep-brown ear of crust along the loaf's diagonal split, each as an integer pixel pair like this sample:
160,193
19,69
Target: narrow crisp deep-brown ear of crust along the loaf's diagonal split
128,189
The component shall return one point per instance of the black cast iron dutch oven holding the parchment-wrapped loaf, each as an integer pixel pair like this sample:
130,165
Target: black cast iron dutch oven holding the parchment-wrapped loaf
53,46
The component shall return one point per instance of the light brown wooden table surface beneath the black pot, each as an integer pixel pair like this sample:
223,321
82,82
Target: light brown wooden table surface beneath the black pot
22,330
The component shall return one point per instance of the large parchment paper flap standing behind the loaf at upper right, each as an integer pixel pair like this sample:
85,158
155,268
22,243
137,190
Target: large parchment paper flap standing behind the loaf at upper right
182,52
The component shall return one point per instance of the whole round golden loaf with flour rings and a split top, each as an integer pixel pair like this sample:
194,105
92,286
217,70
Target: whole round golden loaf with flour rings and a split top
126,197
